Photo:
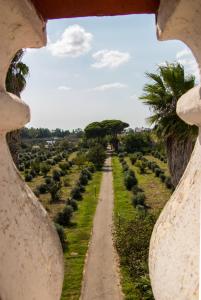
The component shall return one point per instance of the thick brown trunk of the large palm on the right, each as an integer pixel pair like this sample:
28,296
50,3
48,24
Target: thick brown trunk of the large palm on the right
178,155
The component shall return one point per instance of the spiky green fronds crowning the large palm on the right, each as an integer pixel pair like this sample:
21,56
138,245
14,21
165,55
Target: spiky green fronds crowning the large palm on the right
167,86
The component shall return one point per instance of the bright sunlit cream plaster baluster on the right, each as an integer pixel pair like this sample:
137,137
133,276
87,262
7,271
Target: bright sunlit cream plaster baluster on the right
174,248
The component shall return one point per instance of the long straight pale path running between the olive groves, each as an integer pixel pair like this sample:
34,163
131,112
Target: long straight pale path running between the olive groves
101,279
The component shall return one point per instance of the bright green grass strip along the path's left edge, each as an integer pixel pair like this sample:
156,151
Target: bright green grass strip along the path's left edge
78,236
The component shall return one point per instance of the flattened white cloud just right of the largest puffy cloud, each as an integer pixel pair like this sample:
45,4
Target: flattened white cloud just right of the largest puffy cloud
109,58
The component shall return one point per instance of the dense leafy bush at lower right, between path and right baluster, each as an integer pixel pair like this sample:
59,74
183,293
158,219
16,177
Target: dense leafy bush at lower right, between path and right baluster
132,242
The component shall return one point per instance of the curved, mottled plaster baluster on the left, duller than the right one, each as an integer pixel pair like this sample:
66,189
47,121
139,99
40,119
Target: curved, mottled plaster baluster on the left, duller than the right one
31,258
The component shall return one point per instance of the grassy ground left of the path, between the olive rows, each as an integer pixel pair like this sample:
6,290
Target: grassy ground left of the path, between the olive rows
79,232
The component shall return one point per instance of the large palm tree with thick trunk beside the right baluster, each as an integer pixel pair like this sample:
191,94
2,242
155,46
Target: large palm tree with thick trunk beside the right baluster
162,94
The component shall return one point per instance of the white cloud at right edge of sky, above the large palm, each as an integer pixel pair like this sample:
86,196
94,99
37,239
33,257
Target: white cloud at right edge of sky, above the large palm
186,58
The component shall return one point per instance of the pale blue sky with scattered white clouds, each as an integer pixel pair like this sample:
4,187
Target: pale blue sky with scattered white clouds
94,69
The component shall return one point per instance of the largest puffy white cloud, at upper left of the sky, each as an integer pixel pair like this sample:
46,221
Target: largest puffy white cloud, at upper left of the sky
73,42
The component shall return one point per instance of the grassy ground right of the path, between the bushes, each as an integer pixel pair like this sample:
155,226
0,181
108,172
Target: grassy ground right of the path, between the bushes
156,196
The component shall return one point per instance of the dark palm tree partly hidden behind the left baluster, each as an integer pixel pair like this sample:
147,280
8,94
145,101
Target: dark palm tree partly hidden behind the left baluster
15,83
